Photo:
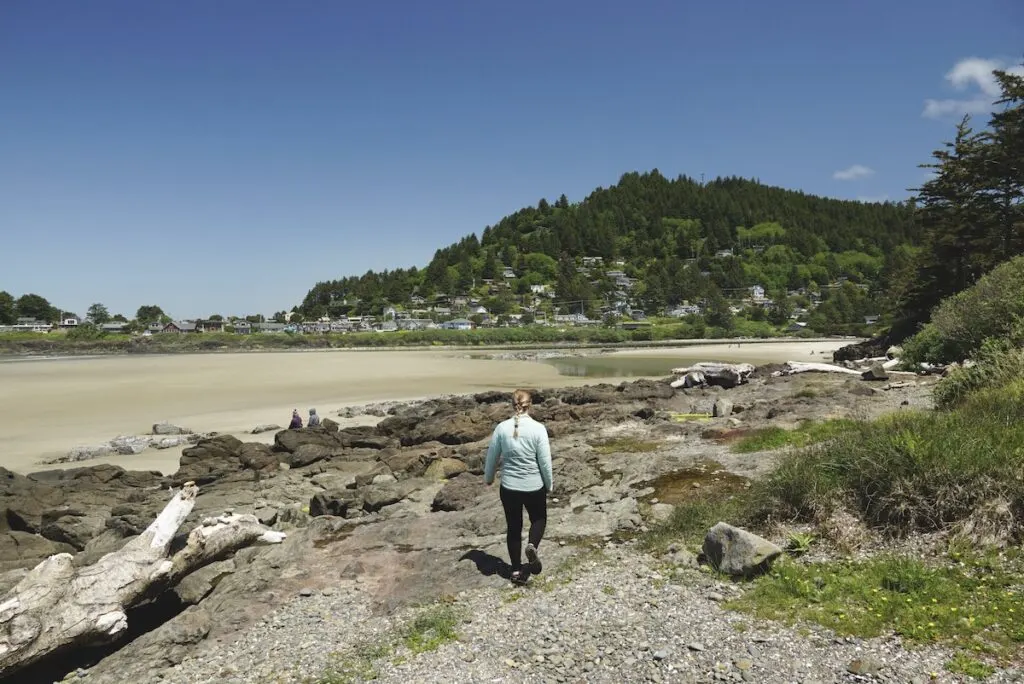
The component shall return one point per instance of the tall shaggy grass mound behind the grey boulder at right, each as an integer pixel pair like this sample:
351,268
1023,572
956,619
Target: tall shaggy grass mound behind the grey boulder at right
913,472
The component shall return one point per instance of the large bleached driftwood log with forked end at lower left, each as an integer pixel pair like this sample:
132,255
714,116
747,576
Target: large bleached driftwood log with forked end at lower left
58,607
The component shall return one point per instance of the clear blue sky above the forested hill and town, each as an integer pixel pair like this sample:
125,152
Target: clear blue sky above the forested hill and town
224,156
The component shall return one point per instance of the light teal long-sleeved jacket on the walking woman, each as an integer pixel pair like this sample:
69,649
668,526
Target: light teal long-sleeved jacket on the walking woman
526,460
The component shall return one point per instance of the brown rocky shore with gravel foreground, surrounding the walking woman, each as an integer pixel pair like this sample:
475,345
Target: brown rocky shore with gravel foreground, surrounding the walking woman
383,518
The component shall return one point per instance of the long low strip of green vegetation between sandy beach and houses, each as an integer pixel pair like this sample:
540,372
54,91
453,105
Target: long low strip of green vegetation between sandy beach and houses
24,345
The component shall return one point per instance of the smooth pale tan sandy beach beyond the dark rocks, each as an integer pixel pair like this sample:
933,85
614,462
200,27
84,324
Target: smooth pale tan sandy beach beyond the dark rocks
52,406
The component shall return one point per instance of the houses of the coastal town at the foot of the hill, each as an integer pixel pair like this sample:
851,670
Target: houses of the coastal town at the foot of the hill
494,304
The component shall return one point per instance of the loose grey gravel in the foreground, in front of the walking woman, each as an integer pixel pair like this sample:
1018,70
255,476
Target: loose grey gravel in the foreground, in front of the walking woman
616,617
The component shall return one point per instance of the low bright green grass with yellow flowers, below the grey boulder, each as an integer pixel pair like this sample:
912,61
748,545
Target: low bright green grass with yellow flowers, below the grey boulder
969,603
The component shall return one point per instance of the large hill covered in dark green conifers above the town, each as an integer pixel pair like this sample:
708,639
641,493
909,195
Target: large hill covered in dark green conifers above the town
671,236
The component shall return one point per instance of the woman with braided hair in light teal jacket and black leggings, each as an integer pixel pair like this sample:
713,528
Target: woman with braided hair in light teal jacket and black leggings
523,446
